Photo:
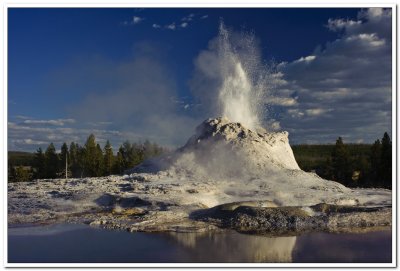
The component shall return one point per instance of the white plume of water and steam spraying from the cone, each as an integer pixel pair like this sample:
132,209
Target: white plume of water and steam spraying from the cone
231,80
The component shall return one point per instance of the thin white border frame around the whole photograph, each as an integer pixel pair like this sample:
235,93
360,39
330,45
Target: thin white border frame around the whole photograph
204,4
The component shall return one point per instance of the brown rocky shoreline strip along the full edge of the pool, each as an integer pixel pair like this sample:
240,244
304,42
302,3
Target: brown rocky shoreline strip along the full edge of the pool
267,221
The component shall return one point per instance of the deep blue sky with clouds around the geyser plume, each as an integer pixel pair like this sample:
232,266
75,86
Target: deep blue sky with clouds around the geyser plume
125,73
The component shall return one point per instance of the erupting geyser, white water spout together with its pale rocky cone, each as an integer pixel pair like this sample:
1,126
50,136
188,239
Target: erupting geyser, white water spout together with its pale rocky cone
233,145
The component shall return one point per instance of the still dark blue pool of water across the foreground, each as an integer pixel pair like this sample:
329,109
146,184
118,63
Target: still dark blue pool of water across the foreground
83,244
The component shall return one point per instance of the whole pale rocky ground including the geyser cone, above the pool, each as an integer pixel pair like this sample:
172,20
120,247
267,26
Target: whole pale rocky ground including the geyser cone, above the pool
226,176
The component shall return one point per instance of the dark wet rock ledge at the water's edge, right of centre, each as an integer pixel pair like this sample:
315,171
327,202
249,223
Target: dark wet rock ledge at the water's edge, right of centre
283,220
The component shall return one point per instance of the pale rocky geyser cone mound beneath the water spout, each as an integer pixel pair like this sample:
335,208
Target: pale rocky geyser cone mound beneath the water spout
222,149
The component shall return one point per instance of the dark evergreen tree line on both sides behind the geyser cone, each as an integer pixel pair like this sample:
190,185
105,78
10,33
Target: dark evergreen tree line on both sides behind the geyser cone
354,165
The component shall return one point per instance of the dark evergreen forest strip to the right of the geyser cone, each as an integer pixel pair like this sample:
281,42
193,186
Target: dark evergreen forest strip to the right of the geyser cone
350,164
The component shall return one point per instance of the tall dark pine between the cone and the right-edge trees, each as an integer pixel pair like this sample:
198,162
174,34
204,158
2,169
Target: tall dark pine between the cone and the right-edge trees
341,162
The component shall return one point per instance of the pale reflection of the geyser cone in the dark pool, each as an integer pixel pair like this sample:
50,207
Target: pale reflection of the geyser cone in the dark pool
235,247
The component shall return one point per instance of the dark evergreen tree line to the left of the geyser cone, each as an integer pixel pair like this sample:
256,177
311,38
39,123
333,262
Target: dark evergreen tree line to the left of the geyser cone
89,160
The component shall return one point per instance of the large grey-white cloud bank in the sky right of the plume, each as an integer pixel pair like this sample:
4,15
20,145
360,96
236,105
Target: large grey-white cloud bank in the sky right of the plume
345,88
